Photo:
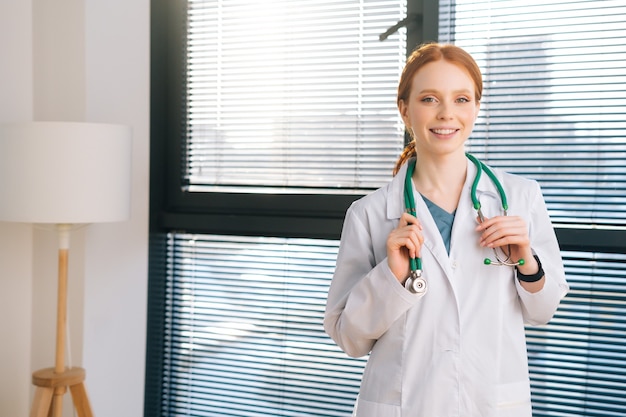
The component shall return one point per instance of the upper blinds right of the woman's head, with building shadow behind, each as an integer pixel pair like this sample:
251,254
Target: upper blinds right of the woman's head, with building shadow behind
555,97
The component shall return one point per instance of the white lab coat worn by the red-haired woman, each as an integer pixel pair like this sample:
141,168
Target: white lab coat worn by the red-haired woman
460,349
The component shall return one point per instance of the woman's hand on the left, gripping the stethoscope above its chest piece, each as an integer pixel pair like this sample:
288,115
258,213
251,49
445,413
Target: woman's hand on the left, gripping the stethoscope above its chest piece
403,243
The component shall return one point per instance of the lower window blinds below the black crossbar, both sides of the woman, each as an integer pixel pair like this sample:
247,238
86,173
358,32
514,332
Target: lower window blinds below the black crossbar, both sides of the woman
244,333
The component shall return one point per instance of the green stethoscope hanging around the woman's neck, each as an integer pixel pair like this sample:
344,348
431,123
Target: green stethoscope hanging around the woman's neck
415,283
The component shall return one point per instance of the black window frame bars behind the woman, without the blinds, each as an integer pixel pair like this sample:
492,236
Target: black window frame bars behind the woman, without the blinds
282,215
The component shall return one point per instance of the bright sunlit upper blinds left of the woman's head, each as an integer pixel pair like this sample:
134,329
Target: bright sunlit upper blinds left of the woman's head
292,94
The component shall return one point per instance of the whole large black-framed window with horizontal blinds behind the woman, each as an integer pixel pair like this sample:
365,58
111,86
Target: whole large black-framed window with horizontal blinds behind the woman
269,118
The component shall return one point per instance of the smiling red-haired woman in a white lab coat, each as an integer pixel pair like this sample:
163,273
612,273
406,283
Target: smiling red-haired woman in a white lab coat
458,348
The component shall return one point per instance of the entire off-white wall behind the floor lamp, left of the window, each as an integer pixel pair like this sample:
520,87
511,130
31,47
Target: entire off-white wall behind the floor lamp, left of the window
82,60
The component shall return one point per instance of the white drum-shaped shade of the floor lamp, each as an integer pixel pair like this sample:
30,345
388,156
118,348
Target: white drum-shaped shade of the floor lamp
64,172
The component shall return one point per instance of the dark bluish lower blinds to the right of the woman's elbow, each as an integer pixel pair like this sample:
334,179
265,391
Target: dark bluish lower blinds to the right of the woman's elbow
578,362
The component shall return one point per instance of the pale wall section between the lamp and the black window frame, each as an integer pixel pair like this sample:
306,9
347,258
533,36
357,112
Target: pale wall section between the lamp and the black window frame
117,79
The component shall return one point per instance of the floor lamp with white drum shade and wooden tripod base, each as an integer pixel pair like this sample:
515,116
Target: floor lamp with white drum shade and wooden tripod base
63,174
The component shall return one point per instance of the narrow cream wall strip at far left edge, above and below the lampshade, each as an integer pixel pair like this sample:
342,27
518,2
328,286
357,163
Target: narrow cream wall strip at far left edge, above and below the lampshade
16,103
